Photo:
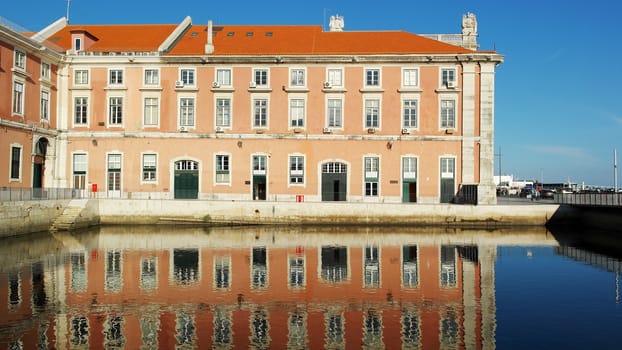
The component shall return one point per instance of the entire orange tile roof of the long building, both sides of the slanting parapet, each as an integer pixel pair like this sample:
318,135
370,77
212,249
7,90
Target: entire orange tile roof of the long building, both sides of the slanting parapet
256,40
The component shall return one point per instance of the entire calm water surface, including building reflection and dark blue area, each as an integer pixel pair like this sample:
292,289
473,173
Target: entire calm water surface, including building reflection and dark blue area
157,287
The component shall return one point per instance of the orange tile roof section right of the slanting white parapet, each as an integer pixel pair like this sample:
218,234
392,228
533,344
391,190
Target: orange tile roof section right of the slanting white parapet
307,40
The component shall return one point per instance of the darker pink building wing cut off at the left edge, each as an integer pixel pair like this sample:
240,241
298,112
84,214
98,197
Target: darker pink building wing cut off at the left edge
28,104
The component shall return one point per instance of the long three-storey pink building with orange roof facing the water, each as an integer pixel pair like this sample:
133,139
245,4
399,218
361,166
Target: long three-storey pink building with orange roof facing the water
284,113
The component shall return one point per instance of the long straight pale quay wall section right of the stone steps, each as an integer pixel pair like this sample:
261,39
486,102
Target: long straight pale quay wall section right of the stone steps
331,213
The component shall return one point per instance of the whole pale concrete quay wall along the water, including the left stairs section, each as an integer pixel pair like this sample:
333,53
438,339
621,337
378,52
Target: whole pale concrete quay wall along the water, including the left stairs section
34,216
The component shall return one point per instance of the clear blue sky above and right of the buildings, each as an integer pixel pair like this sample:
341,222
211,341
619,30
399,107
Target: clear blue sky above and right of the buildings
557,116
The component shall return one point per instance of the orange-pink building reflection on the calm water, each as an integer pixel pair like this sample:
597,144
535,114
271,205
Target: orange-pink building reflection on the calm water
262,288
